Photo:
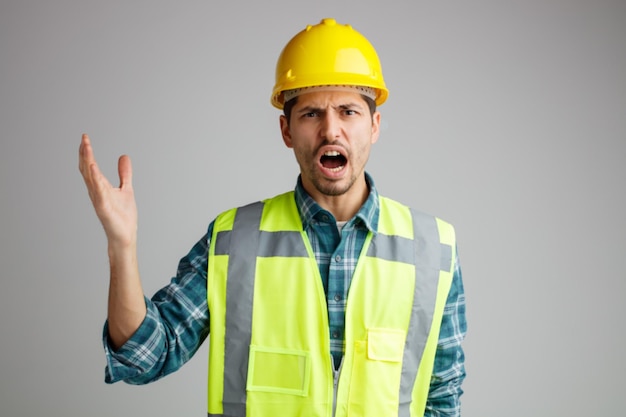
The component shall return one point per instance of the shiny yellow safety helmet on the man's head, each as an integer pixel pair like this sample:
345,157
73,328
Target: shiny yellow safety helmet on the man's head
328,54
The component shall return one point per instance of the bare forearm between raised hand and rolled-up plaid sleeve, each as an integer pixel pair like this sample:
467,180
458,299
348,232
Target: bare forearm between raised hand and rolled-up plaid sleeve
126,305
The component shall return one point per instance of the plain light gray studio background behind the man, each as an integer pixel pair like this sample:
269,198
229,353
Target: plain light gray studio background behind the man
506,118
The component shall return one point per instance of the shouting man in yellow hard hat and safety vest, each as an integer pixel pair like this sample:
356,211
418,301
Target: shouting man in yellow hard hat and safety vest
328,300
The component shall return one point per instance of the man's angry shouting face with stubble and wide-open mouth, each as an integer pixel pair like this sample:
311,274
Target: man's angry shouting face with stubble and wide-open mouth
331,133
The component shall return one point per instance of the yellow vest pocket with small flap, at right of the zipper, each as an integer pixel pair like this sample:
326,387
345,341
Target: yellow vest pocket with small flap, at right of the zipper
376,371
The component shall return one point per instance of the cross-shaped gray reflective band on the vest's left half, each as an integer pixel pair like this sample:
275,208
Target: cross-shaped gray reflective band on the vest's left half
244,244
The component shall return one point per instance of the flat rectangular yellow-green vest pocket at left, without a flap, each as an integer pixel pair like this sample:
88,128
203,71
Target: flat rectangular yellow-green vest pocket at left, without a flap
276,370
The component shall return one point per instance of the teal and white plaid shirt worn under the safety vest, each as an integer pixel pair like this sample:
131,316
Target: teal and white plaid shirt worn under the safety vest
177,321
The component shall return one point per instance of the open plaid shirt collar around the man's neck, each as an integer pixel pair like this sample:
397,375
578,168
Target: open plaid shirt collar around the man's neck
368,213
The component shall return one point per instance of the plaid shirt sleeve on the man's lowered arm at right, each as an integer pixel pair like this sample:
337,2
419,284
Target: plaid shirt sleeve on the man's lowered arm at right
449,368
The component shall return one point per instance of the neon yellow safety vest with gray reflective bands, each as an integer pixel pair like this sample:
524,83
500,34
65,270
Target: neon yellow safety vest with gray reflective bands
269,344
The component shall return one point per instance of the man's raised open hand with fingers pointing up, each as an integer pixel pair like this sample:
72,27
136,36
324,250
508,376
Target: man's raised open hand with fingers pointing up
115,207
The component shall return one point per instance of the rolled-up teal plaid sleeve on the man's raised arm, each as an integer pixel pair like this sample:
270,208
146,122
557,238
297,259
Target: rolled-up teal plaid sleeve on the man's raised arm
176,324
